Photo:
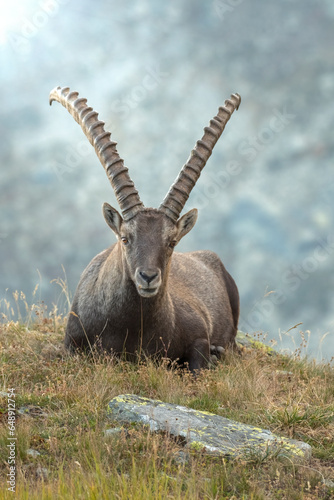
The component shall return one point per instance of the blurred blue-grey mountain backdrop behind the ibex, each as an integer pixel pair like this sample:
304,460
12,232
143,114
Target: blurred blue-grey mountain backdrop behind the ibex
157,73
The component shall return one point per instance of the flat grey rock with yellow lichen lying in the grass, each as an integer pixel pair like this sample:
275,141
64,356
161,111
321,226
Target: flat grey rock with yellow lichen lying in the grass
202,430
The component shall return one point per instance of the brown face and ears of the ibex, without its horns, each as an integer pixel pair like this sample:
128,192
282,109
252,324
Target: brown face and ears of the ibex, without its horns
147,242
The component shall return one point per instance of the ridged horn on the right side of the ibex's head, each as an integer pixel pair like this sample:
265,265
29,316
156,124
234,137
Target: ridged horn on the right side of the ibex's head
190,172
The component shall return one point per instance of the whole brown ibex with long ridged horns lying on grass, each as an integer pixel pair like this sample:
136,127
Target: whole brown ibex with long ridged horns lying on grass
139,295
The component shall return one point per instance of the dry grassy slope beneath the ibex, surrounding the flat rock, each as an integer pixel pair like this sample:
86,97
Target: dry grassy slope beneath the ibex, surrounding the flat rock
61,406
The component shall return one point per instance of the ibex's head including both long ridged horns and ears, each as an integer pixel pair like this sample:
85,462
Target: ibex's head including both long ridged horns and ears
146,236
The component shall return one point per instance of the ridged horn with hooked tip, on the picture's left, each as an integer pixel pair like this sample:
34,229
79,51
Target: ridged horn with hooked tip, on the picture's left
125,191
